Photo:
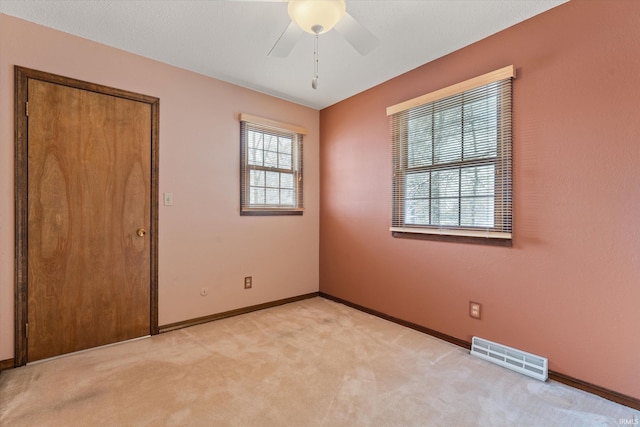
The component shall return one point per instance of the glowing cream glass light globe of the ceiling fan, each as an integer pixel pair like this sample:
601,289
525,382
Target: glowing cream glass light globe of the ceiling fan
310,14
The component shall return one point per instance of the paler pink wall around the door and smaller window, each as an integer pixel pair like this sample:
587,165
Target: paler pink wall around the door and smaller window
203,241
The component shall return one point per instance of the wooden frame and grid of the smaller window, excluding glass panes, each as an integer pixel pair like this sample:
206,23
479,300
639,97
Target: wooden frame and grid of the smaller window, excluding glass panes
277,129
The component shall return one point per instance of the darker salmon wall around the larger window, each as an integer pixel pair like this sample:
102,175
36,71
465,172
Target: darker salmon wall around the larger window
569,288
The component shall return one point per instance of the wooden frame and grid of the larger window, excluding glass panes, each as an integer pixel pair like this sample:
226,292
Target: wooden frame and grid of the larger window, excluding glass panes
400,114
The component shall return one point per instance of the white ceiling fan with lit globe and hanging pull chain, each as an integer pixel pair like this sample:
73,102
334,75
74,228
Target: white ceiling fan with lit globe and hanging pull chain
318,17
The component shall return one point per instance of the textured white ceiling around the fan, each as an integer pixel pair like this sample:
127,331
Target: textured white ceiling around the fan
229,40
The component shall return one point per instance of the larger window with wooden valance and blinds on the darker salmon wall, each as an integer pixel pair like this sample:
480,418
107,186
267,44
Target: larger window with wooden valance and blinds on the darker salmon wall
452,160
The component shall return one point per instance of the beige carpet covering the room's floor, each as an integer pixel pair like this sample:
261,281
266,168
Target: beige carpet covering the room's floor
309,363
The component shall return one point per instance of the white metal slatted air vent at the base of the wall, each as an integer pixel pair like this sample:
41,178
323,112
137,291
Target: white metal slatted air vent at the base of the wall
516,360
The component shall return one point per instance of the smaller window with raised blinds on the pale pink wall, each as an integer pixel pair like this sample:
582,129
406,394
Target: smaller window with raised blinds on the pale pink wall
270,167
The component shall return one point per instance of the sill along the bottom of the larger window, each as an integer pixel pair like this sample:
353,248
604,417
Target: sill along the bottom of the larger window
491,238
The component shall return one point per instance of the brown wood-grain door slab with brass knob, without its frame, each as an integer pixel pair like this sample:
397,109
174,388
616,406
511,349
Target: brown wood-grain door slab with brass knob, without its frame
89,219
